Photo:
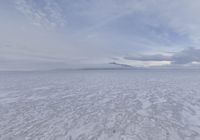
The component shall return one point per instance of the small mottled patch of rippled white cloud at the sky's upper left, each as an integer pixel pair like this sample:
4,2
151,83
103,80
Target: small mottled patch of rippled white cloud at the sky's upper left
46,13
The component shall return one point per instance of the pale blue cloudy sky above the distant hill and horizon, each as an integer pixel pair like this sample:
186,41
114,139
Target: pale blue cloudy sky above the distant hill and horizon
37,34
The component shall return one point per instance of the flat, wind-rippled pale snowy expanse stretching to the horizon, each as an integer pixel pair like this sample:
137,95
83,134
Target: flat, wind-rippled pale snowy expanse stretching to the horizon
100,105
